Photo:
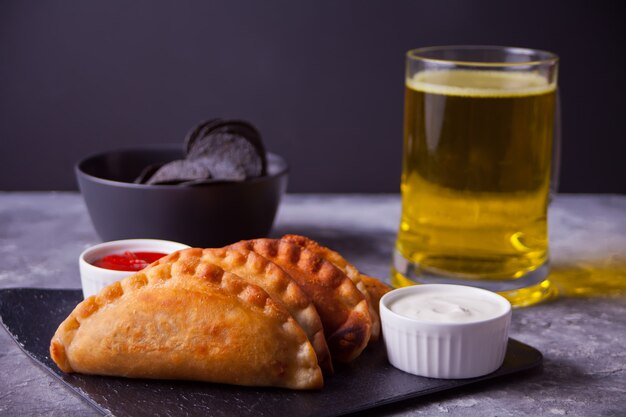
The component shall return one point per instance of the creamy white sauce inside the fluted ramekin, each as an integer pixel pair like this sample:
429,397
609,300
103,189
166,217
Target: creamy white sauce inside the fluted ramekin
443,307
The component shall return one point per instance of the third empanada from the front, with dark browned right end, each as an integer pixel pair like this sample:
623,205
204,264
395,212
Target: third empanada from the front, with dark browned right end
343,309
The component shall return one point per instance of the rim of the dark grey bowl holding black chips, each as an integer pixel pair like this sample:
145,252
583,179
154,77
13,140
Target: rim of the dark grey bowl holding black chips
79,171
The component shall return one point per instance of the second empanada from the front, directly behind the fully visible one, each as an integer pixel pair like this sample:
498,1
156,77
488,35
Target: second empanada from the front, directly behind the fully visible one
281,287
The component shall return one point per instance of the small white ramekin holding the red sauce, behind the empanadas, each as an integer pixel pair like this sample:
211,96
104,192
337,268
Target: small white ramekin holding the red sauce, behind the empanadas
94,278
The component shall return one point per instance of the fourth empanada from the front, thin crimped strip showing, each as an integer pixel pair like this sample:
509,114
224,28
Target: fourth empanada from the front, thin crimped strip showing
347,268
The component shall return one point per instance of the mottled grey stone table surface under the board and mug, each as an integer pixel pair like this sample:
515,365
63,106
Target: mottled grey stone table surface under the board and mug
582,333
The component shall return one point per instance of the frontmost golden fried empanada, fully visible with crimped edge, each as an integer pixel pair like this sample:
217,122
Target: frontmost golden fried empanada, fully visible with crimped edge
182,318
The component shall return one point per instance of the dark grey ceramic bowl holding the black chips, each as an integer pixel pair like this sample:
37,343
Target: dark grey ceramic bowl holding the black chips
208,215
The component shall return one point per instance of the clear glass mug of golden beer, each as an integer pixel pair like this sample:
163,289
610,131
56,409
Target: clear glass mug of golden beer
479,164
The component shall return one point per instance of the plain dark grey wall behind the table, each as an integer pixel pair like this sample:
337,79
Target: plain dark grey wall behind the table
323,80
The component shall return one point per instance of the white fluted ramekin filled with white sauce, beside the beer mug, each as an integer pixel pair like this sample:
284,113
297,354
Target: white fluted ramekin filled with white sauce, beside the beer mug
452,347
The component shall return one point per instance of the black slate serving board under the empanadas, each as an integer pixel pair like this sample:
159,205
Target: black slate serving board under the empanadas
31,316
